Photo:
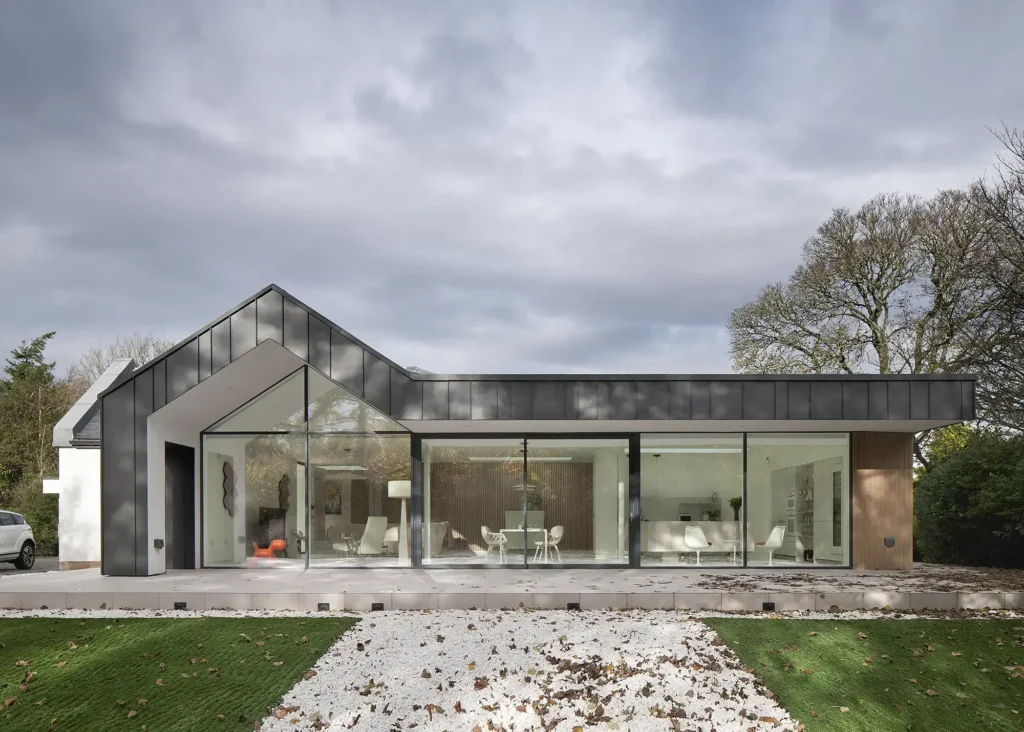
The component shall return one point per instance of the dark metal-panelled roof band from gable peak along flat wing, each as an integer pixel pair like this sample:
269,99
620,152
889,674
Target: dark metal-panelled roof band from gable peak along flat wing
415,395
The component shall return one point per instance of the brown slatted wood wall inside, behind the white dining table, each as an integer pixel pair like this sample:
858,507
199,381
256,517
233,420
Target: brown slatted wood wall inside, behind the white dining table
472,495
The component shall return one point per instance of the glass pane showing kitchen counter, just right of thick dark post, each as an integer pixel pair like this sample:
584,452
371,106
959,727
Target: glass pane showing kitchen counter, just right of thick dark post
692,499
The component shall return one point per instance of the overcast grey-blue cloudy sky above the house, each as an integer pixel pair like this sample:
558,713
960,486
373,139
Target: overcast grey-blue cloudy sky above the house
478,187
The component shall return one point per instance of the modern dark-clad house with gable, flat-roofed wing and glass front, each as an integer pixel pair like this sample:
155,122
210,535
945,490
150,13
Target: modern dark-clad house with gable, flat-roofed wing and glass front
272,437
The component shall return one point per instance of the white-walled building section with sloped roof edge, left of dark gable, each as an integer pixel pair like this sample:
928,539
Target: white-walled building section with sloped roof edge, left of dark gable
76,437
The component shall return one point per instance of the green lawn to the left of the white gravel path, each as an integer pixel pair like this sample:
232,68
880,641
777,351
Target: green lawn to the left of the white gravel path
103,674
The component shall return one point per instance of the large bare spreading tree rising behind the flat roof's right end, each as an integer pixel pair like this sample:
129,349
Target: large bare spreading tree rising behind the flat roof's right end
893,288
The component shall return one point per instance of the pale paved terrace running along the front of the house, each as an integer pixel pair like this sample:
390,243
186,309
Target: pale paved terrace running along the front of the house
925,587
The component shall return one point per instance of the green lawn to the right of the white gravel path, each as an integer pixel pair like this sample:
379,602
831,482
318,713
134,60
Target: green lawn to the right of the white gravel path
898,675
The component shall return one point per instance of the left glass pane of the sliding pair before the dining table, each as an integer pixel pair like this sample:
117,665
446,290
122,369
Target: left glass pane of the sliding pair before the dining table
474,502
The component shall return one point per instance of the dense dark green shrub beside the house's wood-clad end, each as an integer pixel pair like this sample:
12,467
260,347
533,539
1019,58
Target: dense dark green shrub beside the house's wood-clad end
970,506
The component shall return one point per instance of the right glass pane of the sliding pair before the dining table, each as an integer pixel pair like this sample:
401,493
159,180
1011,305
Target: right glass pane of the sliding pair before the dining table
577,495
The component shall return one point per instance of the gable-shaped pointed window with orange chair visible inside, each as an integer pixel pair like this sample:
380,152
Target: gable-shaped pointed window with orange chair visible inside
257,507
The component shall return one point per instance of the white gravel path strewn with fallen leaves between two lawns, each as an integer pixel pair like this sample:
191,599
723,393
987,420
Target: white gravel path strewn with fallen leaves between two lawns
464,670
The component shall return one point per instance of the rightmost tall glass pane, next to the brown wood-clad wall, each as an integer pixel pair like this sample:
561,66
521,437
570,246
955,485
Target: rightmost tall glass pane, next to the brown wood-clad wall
798,499
